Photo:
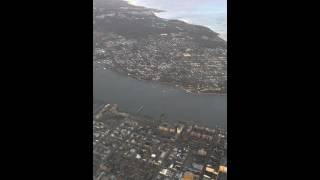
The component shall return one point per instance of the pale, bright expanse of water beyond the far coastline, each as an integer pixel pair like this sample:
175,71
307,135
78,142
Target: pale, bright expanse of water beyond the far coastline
209,13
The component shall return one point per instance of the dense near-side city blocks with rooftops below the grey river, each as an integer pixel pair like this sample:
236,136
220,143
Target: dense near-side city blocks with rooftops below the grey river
128,146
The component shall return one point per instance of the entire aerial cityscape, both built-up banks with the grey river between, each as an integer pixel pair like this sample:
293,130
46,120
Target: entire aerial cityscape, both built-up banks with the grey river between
133,45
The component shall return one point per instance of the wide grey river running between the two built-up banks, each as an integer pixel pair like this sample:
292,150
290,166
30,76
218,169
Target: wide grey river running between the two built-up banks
130,94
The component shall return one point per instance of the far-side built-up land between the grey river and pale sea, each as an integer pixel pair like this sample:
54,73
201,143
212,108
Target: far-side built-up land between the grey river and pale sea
132,40
